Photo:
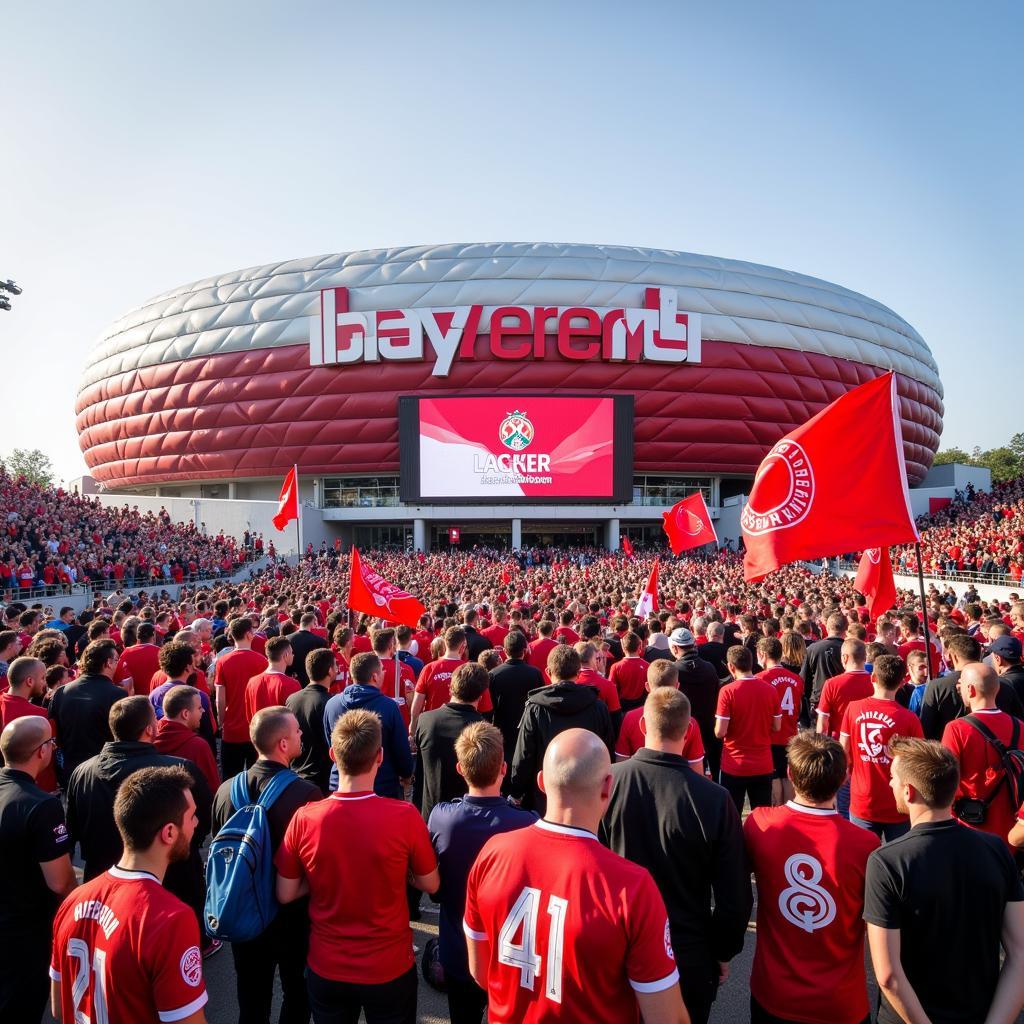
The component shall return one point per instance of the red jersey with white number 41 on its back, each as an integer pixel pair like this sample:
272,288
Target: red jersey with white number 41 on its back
573,929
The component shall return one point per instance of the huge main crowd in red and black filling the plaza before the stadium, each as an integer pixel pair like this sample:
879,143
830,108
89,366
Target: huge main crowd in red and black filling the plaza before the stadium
588,798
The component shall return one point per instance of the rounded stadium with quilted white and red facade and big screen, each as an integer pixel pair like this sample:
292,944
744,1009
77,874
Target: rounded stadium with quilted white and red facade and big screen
515,393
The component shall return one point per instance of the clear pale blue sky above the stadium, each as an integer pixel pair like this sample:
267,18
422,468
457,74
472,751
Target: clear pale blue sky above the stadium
876,145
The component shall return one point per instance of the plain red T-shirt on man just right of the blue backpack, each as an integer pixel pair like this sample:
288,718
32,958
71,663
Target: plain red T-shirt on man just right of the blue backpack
358,909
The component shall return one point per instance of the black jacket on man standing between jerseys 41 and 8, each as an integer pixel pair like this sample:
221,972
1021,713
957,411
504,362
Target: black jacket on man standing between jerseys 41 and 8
687,832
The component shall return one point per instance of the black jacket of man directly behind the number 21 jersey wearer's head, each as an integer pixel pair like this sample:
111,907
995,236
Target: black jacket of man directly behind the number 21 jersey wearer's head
94,787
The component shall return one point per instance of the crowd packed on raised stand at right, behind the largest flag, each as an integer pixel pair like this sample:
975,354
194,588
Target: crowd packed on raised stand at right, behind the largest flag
979,532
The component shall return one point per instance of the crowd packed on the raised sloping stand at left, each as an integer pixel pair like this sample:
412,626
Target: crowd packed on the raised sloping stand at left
54,539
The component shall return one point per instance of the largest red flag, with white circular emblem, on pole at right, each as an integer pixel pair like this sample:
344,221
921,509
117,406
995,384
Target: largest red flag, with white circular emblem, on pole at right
837,484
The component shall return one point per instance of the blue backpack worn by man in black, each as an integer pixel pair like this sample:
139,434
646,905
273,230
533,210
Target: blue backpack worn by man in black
240,898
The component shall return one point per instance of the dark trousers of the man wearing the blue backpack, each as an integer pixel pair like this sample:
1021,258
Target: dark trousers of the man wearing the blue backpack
282,948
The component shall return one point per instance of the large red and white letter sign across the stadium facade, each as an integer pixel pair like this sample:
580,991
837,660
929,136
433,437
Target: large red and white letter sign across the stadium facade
657,332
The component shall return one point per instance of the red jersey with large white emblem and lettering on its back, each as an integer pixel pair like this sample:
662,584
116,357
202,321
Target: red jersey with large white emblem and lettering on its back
870,724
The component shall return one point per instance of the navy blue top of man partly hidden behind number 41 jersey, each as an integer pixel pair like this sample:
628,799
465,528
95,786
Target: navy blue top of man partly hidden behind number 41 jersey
459,830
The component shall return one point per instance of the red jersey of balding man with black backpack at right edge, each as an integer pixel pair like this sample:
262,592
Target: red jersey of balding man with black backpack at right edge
982,769
